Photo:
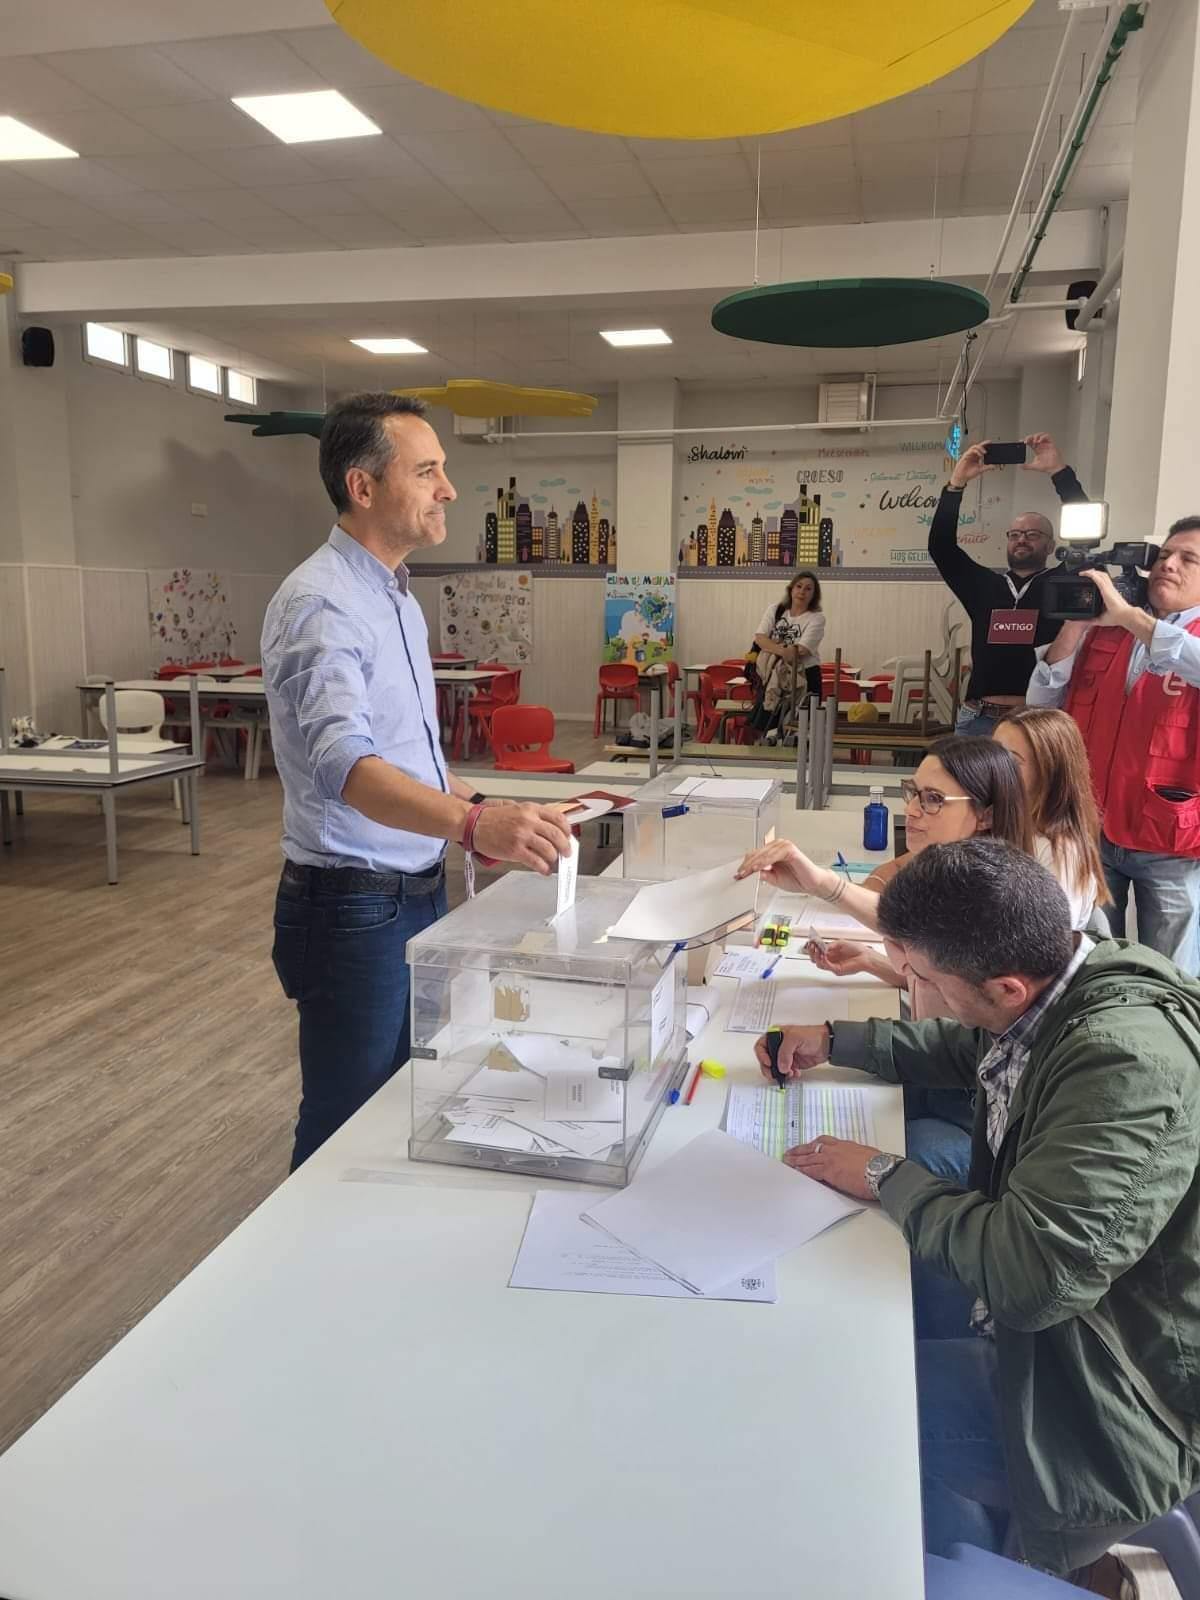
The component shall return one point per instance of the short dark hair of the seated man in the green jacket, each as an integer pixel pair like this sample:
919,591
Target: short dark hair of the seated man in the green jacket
980,910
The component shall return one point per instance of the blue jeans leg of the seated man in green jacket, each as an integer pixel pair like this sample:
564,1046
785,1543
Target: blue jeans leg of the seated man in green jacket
964,1478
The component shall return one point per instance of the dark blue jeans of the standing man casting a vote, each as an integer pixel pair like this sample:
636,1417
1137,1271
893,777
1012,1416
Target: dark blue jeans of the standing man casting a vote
342,959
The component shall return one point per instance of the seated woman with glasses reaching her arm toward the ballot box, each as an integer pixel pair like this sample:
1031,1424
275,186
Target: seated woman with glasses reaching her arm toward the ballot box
964,786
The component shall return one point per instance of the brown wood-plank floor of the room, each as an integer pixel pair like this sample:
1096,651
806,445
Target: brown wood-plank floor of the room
148,1066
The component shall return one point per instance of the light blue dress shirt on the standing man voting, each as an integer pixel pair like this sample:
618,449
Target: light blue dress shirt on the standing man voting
348,674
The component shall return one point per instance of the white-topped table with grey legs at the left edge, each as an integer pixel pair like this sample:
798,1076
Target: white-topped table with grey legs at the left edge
90,774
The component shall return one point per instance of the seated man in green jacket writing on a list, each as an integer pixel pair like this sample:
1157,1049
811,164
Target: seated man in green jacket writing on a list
1068,1414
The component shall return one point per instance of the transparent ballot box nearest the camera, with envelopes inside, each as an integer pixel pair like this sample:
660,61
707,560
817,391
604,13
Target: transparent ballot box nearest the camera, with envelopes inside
542,1046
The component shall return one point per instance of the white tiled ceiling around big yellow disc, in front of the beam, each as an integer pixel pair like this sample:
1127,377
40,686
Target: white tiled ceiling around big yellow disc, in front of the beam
172,169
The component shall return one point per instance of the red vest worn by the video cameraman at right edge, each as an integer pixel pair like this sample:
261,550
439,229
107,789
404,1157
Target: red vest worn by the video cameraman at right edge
1137,745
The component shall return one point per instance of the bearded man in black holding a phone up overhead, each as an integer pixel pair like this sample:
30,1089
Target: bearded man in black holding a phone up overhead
1006,609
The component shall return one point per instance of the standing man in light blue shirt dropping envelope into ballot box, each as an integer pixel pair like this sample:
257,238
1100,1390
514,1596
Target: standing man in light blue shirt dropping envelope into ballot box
369,804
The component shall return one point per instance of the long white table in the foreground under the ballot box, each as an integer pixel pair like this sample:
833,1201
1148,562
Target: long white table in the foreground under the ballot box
345,1399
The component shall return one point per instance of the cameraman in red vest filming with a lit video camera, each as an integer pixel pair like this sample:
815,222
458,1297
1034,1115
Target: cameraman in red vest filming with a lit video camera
1132,682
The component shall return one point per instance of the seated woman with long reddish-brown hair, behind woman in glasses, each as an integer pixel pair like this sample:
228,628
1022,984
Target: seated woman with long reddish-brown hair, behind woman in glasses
1049,750
